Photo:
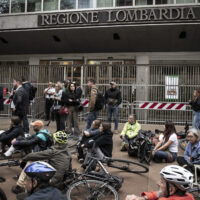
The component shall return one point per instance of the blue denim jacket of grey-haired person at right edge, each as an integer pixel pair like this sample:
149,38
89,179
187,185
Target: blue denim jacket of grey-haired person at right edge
192,152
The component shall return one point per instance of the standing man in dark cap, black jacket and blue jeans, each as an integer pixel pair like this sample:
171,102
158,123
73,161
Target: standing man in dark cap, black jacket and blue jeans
113,100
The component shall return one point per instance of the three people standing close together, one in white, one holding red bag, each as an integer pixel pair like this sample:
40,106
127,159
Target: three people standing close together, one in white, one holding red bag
60,97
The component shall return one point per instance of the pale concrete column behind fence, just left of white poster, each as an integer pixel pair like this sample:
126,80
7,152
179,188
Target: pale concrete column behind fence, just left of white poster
142,83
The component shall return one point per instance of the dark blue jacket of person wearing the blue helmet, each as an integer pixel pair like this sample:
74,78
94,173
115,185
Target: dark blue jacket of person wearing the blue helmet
49,193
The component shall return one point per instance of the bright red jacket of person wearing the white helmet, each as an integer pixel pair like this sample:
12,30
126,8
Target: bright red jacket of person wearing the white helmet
153,196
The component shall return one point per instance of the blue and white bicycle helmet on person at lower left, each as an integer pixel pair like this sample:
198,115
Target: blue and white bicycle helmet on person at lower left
40,170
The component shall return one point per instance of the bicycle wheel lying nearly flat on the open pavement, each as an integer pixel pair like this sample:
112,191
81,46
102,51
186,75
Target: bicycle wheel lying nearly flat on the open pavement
128,166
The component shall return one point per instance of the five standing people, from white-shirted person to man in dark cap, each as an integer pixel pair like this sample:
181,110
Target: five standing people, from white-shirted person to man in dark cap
69,96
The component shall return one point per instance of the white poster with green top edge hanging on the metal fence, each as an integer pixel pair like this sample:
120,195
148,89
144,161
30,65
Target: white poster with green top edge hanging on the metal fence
171,87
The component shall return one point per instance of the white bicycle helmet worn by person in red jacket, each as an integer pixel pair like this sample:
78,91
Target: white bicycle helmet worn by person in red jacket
177,175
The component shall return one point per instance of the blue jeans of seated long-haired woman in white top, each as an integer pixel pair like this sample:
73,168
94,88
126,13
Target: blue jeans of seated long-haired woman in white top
159,156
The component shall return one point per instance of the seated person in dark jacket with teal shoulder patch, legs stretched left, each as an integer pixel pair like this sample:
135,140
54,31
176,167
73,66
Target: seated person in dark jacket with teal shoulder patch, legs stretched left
39,141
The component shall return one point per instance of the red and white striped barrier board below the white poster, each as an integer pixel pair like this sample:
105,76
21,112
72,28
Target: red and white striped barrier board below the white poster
162,106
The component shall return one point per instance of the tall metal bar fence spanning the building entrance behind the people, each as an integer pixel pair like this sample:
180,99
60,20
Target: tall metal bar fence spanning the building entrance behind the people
152,85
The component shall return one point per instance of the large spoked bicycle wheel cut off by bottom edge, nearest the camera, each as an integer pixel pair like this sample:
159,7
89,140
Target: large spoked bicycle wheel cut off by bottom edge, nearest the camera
91,190
